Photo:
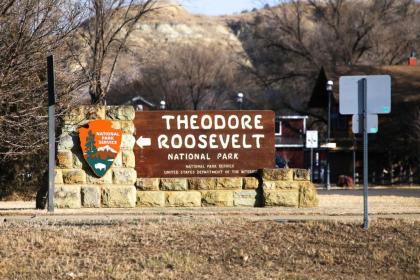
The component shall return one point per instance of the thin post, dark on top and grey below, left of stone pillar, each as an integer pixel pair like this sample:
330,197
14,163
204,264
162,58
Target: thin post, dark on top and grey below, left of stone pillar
51,132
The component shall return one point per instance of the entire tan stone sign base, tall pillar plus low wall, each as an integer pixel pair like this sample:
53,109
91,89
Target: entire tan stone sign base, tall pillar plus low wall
77,186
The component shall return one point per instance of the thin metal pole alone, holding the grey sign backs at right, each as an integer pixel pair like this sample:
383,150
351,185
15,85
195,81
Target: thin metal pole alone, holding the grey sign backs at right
365,158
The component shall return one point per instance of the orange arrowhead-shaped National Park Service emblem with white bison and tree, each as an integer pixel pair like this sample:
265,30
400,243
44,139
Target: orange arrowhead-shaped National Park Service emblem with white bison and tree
100,144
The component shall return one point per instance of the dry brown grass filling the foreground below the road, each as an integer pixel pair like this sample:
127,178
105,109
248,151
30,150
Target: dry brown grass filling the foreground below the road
215,249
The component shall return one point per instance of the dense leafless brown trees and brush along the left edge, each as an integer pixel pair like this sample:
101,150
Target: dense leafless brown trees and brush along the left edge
29,30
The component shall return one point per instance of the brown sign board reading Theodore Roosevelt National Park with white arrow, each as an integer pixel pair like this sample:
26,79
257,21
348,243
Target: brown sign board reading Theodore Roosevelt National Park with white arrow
203,144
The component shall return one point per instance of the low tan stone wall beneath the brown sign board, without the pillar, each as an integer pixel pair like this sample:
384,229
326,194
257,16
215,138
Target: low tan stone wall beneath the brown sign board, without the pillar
271,187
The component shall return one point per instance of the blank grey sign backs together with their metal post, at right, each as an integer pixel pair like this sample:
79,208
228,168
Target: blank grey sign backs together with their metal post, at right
364,97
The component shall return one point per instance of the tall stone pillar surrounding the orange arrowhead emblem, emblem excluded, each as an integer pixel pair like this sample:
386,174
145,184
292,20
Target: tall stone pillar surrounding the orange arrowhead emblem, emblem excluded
76,185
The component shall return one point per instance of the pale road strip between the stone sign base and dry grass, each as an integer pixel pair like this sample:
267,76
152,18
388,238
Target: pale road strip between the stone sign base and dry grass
339,205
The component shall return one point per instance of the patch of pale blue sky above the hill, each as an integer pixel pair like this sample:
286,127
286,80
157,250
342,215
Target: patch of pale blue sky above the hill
222,7
